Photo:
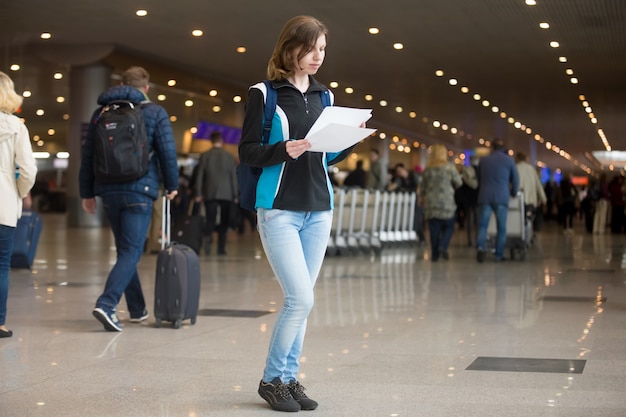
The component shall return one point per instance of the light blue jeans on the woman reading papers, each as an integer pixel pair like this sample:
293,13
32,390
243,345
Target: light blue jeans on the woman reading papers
295,245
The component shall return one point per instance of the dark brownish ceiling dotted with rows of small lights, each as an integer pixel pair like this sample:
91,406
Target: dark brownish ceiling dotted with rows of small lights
494,47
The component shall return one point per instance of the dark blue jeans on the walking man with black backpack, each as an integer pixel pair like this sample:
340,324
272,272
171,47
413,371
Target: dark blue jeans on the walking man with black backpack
129,216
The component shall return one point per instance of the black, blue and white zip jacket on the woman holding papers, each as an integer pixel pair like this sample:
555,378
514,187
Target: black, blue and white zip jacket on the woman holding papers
300,184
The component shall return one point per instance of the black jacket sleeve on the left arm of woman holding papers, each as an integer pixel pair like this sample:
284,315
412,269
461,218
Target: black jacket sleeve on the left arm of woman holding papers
251,151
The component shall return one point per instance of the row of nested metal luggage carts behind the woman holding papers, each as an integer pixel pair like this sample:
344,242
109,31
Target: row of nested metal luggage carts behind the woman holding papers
367,221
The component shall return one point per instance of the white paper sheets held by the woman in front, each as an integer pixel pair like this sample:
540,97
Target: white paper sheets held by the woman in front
337,128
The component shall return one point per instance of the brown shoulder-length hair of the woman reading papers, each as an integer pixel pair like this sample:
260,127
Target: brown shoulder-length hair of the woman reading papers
299,31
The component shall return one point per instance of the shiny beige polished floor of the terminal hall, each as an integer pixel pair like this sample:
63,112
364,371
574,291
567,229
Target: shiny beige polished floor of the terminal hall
394,335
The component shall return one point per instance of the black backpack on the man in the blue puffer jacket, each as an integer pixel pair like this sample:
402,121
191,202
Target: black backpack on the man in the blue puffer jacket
121,148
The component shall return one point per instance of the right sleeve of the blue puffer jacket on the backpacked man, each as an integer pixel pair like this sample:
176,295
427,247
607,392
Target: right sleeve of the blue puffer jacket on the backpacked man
165,149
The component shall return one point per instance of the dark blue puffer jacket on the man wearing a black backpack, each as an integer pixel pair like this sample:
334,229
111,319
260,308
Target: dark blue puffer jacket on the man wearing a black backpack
163,163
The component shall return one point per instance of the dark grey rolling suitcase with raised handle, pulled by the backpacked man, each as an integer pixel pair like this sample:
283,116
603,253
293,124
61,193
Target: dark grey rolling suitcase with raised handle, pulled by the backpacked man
177,284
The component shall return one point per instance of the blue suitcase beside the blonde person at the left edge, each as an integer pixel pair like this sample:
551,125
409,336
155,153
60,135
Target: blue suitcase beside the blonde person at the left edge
25,239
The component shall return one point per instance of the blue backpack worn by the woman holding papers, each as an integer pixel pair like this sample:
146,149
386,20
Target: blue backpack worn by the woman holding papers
247,176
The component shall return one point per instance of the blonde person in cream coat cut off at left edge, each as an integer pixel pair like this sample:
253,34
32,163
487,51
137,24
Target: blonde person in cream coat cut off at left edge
17,176
